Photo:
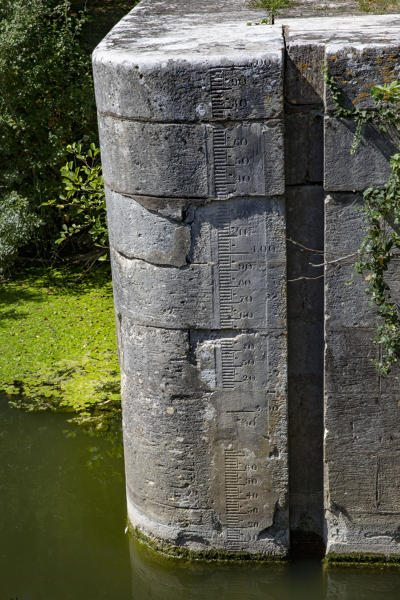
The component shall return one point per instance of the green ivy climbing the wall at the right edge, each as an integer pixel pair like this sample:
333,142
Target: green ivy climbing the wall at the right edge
381,210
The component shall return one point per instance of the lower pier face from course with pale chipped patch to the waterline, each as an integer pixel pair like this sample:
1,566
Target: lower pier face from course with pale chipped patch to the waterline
198,405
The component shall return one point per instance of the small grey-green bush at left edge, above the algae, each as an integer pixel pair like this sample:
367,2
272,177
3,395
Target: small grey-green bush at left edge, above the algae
17,224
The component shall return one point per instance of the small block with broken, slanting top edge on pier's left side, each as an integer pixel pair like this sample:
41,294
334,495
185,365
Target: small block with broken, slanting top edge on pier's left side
139,233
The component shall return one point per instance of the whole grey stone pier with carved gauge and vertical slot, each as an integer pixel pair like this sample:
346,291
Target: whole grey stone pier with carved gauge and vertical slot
221,155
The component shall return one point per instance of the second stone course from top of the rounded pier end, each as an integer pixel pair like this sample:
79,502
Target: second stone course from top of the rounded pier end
192,160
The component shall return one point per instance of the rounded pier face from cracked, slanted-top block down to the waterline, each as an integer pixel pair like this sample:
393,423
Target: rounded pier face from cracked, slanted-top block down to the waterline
203,354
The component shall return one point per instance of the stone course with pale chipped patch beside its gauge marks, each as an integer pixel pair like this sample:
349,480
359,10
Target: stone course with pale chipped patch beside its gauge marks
172,362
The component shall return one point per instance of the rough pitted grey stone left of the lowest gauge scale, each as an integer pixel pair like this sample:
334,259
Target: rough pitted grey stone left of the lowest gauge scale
164,468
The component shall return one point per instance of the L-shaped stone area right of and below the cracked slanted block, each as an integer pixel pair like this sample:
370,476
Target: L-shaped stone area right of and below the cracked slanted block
236,279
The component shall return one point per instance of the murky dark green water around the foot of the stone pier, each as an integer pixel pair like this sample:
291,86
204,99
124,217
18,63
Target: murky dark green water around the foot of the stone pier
62,521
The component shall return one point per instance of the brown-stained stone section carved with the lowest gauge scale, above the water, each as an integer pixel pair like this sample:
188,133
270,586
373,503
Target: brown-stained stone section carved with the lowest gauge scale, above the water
253,507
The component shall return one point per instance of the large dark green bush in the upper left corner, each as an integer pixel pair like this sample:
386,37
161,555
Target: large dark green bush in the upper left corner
46,96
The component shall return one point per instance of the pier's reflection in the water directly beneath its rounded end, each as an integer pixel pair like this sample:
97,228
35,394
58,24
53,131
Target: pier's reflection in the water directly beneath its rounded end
161,578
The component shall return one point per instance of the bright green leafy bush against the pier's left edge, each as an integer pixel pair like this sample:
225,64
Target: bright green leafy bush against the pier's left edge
82,206
